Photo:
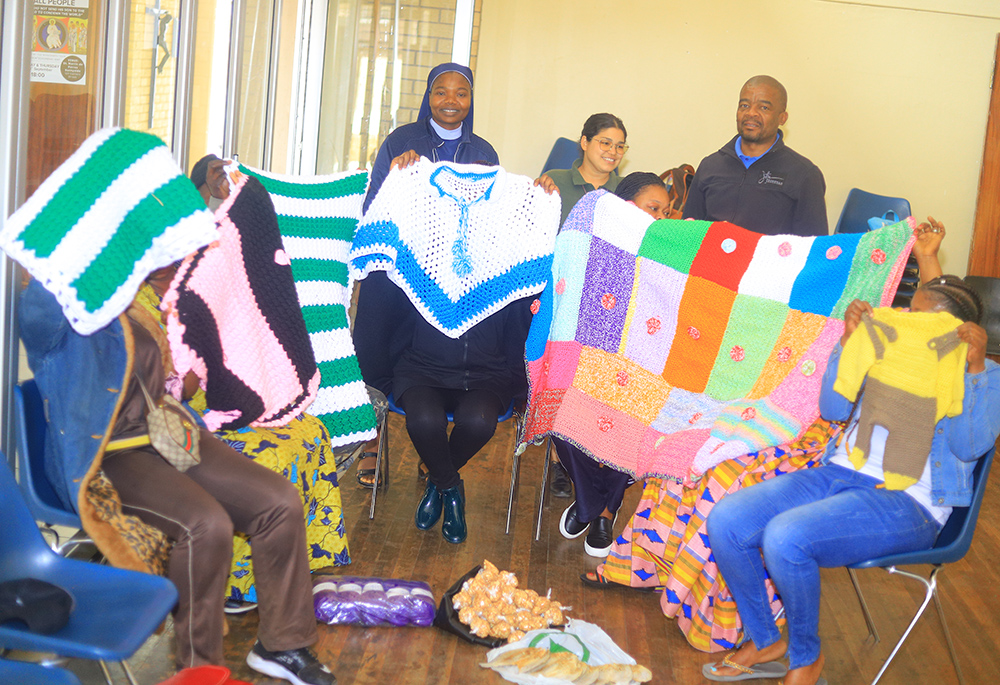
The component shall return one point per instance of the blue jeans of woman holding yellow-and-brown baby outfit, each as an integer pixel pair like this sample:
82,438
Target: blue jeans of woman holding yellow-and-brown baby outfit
796,523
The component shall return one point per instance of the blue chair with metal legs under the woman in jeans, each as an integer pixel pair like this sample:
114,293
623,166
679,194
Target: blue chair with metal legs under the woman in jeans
952,544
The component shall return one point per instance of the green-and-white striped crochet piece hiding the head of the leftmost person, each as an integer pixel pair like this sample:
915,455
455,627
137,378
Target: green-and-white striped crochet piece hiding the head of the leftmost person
118,209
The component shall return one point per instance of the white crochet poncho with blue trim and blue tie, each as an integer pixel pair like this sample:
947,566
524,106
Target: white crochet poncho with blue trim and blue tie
461,240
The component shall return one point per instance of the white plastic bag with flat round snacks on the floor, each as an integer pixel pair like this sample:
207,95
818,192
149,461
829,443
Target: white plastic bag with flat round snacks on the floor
582,654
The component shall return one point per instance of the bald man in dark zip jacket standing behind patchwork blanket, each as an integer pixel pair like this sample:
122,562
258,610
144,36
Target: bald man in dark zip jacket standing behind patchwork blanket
755,180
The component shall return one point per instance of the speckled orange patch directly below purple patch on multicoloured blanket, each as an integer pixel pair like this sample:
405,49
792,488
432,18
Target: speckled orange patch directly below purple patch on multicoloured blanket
621,383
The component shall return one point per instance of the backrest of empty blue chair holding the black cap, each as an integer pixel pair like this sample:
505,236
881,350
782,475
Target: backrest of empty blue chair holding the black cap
22,547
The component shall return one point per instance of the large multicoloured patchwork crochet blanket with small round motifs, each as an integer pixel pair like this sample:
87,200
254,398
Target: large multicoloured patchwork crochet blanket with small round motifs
664,348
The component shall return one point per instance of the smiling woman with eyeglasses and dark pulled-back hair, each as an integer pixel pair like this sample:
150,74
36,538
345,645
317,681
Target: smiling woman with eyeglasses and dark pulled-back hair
602,146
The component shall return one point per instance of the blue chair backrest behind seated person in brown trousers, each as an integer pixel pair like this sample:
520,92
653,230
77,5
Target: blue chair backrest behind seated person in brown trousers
31,428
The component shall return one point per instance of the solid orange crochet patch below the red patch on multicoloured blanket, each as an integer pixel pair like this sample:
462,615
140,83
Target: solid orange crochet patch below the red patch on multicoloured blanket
701,324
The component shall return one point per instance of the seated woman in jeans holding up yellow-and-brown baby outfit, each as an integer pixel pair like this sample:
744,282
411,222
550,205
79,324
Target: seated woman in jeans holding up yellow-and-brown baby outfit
875,494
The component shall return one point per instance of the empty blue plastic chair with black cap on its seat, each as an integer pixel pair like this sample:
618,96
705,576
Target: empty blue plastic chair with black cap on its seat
115,610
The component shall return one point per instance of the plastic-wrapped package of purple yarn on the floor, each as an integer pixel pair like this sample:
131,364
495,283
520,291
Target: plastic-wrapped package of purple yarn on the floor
340,600
